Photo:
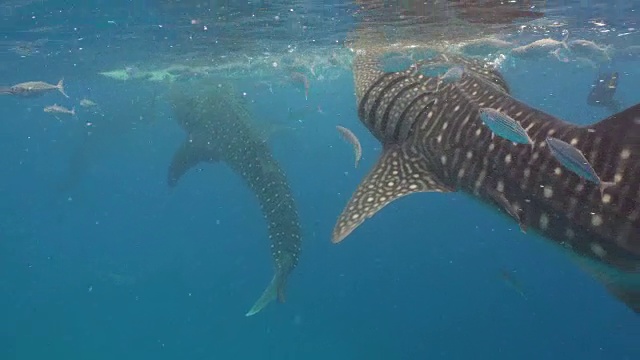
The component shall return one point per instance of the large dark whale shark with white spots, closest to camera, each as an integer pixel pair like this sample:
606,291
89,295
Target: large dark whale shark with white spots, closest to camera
436,142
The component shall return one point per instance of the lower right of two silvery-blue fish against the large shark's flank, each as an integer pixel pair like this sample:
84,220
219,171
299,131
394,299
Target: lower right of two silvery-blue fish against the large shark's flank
573,159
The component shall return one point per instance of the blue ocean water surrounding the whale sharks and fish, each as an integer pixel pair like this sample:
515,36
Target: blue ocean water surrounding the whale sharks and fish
99,259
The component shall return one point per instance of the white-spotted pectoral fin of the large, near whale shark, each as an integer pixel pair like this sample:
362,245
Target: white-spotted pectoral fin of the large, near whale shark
400,171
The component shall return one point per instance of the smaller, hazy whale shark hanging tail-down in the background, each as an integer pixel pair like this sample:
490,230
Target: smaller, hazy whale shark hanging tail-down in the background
218,129
